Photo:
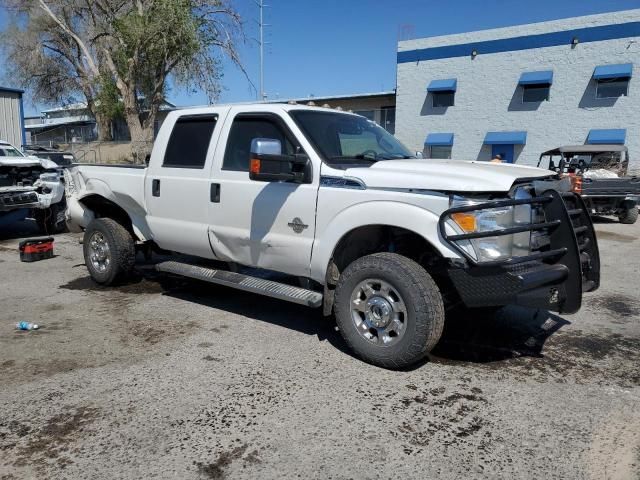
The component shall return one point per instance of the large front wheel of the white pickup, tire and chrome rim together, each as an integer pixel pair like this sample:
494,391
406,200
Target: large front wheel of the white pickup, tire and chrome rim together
389,310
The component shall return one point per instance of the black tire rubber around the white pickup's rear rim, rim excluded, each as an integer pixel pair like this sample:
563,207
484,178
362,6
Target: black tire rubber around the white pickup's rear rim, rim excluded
122,251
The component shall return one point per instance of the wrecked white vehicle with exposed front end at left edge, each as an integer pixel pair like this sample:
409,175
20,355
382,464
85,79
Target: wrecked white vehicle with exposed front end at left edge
30,187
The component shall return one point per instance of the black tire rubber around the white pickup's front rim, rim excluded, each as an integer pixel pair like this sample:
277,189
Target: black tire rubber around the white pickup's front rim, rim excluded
425,310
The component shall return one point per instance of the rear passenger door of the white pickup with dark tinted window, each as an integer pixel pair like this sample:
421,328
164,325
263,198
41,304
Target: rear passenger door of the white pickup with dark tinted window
177,183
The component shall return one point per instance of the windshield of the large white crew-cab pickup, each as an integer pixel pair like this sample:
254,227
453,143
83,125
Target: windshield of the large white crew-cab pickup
342,138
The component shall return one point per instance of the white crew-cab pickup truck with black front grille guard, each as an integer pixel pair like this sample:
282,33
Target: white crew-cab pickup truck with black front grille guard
349,219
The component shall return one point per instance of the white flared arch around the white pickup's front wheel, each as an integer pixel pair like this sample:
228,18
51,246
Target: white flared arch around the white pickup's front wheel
395,214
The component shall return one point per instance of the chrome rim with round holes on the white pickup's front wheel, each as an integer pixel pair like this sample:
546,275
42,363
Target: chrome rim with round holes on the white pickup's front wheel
378,312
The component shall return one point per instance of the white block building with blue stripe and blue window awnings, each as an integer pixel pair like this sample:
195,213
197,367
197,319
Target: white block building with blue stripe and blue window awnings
521,90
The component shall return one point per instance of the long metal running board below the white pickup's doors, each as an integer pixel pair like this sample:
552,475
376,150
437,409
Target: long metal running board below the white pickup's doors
269,288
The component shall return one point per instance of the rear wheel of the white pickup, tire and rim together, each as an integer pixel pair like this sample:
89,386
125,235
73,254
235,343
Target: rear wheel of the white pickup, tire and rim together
109,251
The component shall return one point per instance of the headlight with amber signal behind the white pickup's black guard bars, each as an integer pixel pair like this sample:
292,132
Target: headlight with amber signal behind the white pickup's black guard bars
497,247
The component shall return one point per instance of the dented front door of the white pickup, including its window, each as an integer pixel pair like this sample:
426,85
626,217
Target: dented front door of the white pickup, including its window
269,225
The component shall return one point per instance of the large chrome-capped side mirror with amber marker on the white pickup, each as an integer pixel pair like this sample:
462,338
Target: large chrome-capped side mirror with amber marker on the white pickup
267,164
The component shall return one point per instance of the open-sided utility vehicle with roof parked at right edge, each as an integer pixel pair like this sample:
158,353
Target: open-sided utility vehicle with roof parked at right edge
598,173
